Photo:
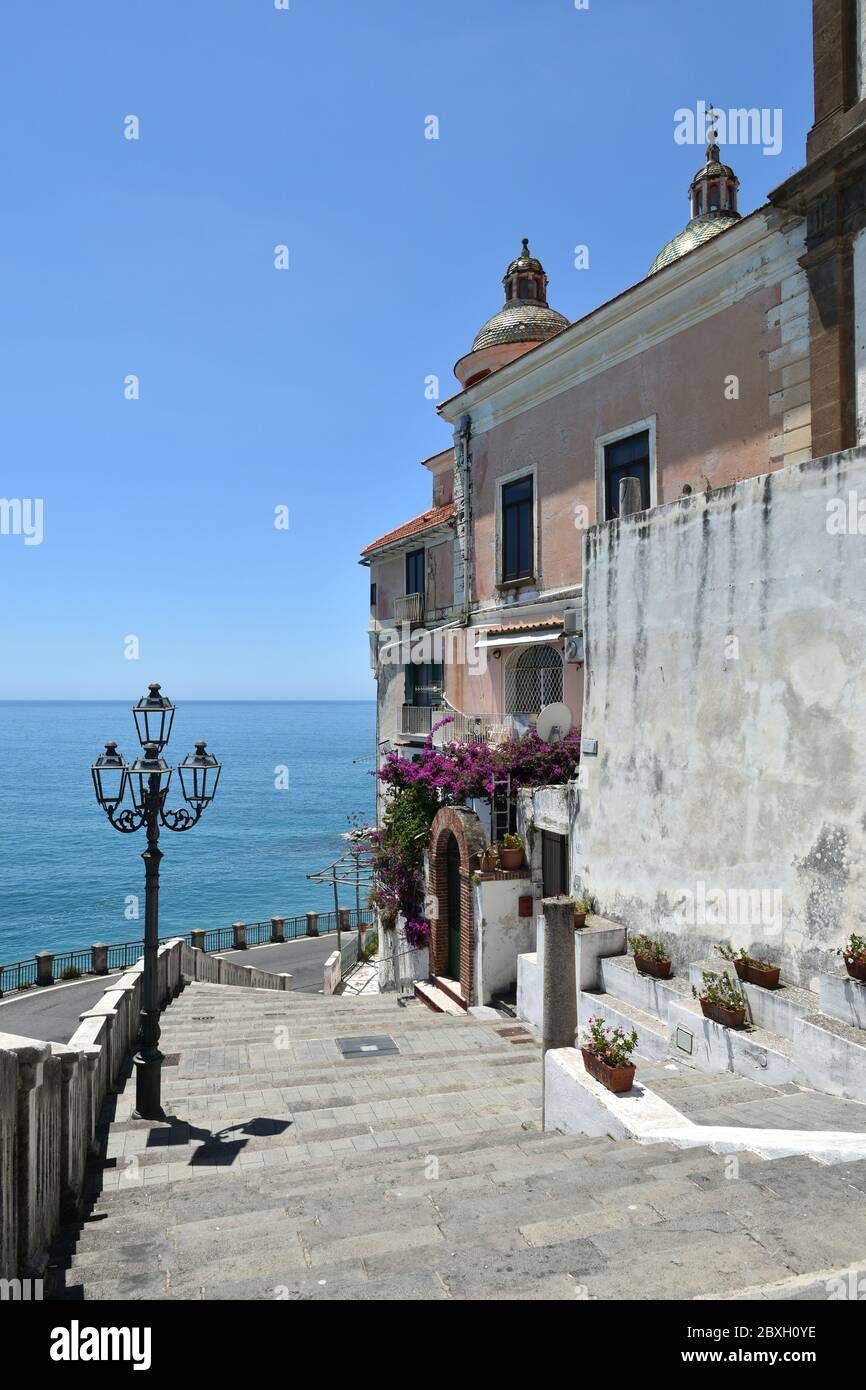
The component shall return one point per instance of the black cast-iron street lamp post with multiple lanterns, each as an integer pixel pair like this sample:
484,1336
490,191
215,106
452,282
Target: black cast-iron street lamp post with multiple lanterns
147,780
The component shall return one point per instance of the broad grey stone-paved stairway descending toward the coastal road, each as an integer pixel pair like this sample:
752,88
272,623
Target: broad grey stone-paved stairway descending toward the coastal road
287,1170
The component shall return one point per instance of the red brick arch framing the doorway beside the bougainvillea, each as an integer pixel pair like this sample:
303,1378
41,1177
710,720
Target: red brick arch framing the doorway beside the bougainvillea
468,831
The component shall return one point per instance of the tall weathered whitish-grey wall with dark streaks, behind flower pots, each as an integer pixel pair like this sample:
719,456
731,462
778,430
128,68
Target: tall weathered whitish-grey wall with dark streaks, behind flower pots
728,693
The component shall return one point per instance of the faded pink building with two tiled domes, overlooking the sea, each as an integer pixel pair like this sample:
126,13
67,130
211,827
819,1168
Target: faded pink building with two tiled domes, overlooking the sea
692,380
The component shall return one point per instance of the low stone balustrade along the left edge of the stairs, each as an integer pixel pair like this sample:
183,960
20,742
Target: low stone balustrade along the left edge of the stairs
52,1096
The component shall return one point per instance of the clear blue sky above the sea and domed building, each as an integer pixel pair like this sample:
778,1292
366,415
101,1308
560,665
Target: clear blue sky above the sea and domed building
302,389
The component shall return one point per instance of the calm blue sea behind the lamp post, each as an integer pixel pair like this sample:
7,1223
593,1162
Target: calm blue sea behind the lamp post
66,874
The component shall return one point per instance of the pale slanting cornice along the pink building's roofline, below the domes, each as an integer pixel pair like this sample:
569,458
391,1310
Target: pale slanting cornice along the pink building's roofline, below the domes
757,252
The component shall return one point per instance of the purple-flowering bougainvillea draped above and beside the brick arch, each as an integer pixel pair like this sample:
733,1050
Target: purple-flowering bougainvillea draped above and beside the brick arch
450,776
